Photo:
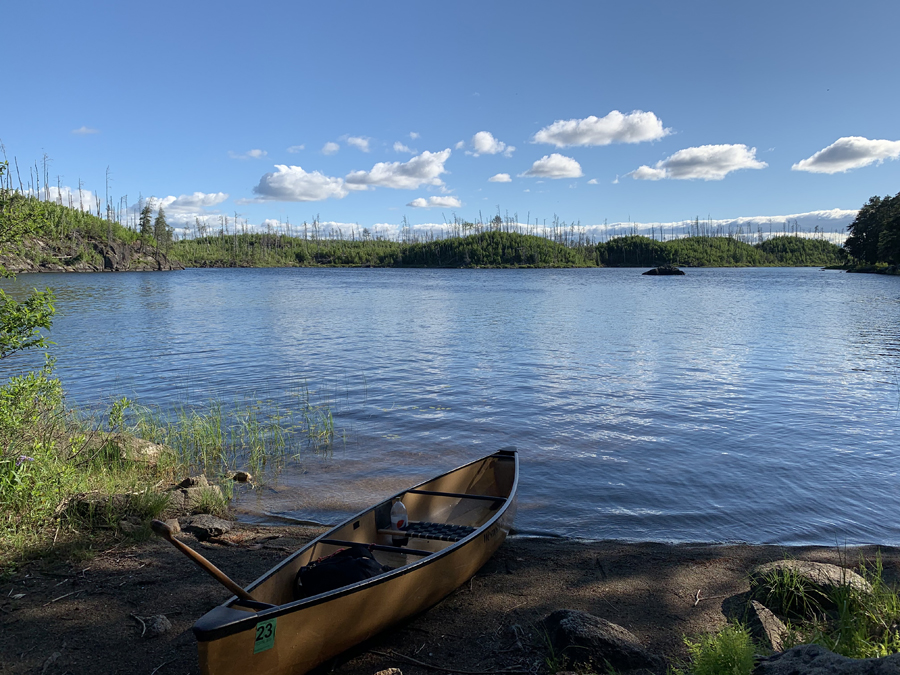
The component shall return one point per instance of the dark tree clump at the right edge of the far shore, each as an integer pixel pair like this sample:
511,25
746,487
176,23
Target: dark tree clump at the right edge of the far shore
875,233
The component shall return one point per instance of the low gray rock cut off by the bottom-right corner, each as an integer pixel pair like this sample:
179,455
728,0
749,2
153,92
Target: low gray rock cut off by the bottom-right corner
816,660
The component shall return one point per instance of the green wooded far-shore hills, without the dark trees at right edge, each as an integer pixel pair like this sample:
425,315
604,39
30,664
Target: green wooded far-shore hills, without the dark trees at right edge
53,237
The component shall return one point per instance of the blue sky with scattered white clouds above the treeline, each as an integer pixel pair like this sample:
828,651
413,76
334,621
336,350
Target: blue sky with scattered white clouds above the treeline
365,114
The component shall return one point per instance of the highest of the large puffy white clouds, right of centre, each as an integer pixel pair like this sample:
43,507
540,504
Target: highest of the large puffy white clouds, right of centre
635,127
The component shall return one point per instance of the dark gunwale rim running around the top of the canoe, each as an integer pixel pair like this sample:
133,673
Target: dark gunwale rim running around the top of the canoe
249,620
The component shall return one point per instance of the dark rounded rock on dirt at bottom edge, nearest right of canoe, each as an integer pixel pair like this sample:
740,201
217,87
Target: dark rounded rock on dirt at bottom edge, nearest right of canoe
587,640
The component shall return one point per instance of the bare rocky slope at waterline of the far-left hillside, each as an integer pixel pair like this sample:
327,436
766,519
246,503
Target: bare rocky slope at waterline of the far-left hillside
87,255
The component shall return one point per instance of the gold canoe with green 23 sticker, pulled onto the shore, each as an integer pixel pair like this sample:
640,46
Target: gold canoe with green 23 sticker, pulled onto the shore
475,504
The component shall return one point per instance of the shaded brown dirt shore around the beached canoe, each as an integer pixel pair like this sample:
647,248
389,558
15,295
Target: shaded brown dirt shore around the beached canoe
80,618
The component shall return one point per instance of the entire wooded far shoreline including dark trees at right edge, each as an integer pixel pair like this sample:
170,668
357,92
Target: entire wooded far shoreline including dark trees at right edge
45,236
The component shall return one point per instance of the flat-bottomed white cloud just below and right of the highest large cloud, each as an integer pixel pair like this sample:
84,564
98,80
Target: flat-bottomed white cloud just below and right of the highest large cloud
707,162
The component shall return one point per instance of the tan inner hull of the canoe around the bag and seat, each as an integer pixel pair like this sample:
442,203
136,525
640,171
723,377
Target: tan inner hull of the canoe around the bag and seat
492,476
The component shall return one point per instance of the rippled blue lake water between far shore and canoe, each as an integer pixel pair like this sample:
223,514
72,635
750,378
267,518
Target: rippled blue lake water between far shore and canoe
757,405
